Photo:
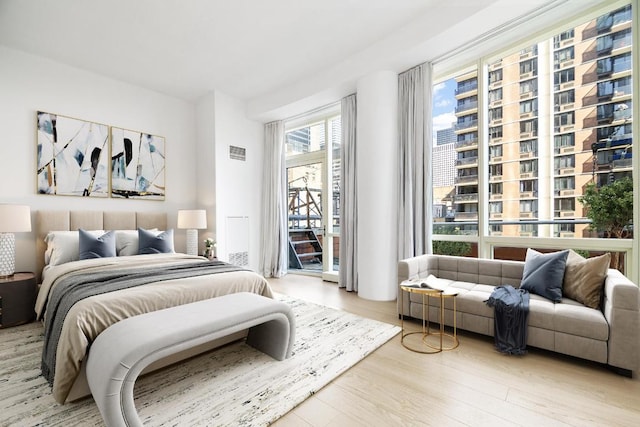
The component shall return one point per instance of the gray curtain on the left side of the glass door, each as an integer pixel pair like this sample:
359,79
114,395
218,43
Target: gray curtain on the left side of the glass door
275,237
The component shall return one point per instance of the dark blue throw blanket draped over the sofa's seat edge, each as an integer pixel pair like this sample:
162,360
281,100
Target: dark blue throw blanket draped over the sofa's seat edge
511,315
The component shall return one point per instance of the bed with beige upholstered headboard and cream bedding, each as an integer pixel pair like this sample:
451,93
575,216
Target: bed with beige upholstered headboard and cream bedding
160,280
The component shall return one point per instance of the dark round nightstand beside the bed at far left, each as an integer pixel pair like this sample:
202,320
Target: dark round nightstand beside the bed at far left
17,299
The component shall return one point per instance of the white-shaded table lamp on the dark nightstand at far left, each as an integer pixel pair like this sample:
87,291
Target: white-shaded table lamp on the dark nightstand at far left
13,219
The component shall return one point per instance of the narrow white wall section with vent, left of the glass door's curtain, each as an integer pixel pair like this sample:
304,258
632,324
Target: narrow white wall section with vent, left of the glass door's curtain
237,183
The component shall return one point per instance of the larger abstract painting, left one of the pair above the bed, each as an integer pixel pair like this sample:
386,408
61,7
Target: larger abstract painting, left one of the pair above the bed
73,157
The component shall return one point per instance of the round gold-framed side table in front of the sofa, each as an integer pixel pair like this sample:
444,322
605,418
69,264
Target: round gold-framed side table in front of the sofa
426,343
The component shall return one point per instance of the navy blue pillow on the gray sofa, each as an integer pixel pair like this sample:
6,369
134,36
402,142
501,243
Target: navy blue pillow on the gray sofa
544,273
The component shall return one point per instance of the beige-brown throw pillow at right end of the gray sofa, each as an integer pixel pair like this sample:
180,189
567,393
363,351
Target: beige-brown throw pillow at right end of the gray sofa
584,278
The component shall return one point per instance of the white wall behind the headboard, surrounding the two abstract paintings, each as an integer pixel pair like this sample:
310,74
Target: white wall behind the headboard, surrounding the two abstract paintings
30,83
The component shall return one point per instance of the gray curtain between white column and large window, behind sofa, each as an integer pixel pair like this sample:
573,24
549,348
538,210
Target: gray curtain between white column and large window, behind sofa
416,144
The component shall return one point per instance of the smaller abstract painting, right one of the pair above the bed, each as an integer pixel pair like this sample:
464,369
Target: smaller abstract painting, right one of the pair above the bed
137,165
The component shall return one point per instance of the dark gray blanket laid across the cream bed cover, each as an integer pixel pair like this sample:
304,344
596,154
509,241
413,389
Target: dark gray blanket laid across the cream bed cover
77,287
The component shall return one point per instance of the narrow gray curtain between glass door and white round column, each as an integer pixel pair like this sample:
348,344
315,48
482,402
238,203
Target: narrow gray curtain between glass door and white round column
348,273
